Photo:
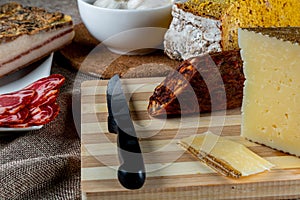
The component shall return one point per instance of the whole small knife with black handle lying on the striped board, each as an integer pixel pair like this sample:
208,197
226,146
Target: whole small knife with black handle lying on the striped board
131,172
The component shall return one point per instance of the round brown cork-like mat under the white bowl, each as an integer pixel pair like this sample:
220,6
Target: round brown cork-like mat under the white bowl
87,55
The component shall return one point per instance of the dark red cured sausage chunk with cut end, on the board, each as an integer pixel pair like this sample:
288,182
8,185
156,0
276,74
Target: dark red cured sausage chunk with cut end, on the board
173,96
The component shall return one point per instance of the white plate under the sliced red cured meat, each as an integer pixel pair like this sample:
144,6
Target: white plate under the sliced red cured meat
23,78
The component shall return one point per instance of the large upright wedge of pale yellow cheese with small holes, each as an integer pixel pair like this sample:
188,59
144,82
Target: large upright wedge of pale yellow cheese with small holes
270,108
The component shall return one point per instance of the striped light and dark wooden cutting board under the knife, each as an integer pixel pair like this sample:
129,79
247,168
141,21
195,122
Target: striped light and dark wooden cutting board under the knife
171,172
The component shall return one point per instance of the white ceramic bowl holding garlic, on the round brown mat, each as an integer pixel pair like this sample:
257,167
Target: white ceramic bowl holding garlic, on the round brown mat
126,31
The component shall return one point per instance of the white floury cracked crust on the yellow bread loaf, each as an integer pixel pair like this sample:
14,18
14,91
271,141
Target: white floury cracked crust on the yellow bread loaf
190,35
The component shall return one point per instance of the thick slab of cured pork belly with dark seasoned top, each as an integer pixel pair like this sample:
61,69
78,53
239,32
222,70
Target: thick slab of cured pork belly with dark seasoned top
28,34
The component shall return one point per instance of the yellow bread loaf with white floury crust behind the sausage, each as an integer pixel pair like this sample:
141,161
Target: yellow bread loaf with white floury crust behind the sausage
205,26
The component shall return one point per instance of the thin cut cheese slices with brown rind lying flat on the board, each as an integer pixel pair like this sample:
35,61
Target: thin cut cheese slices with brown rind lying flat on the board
225,156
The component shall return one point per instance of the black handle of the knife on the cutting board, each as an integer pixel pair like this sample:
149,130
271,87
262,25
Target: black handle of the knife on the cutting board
131,173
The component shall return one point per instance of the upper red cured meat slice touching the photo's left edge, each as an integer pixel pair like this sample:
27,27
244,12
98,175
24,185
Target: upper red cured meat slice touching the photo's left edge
13,102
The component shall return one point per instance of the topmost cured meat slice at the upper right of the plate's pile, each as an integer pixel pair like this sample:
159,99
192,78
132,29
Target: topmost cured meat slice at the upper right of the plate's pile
43,86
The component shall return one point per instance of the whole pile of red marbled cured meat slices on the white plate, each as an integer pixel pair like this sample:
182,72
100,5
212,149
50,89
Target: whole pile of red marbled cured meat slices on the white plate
32,106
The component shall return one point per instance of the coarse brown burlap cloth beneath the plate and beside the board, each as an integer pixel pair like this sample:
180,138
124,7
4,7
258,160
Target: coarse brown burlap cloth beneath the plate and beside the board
45,164
